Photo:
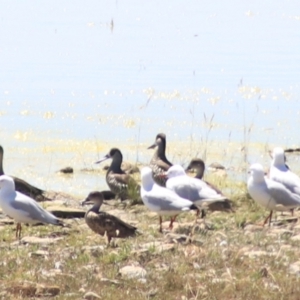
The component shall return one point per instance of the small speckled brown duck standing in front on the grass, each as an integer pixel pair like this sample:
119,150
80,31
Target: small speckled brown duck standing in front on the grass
104,223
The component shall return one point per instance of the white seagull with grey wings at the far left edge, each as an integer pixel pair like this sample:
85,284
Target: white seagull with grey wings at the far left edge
22,208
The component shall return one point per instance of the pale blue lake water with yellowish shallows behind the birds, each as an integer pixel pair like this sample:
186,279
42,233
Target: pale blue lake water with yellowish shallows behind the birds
77,78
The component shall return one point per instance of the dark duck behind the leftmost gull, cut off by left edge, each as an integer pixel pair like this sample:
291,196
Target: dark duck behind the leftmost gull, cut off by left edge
22,186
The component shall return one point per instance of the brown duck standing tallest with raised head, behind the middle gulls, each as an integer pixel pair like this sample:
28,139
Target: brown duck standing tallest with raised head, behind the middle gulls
159,163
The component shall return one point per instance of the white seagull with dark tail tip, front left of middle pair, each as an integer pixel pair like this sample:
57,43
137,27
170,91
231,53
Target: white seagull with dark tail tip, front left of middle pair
162,200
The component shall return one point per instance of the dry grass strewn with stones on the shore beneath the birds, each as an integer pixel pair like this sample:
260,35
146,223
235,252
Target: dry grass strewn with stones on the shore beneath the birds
230,260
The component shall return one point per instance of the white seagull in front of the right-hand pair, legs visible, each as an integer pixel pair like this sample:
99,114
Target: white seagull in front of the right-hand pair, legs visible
269,193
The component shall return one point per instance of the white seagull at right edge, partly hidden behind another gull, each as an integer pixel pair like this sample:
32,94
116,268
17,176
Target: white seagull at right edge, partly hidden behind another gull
280,172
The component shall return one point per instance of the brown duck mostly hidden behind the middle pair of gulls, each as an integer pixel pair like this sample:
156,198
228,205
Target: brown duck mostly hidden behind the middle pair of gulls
198,165
